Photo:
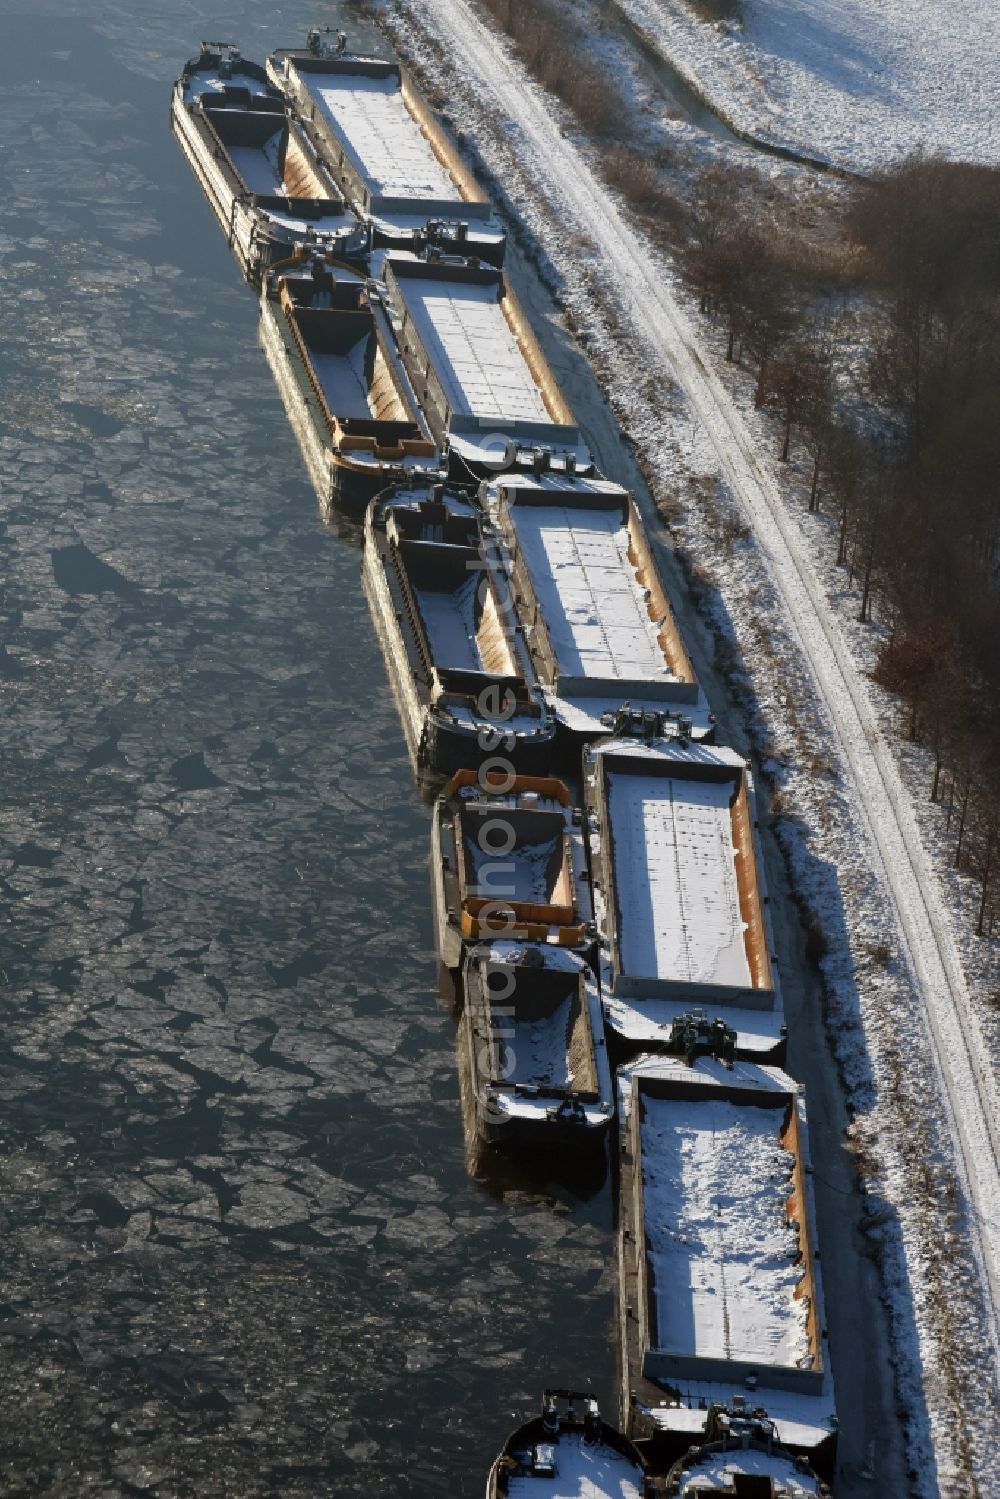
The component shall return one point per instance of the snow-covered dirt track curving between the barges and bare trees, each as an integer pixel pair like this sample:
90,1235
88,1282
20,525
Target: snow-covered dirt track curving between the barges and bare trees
651,314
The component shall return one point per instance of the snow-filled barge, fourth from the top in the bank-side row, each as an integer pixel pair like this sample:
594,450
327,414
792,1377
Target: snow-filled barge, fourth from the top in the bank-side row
680,900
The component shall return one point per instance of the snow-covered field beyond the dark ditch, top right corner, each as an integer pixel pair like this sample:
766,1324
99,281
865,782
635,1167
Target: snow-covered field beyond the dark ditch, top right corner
857,83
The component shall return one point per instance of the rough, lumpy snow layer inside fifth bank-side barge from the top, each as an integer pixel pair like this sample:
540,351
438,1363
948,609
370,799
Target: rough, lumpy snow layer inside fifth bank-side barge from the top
719,1240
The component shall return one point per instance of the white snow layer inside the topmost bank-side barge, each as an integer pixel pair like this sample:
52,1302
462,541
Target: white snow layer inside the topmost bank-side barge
388,145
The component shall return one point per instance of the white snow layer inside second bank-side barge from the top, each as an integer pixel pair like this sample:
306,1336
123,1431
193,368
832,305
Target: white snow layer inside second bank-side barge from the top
473,350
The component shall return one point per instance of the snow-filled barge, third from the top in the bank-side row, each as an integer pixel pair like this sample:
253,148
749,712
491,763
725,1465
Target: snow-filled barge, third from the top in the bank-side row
594,608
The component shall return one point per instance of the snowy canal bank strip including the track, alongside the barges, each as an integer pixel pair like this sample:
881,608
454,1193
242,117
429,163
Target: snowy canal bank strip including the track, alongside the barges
909,1034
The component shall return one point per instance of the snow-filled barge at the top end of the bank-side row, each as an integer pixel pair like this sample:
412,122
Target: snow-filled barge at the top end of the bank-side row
392,158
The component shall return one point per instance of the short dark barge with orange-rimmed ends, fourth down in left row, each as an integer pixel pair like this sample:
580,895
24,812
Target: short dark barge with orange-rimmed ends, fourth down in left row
507,864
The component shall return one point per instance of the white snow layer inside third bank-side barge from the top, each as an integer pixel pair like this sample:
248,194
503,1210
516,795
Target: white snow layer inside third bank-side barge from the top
591,602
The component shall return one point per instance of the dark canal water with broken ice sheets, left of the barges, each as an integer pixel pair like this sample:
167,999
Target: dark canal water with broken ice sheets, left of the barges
242,1254
